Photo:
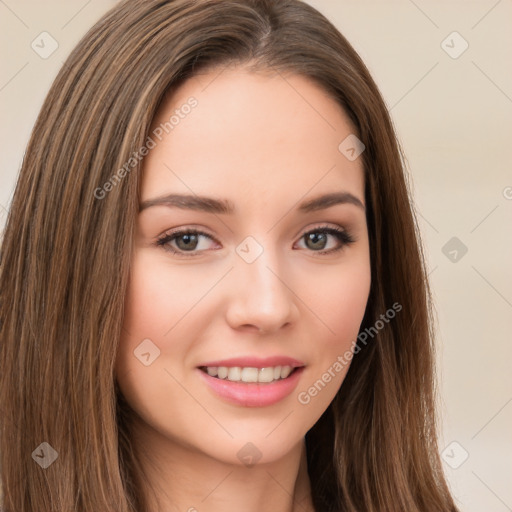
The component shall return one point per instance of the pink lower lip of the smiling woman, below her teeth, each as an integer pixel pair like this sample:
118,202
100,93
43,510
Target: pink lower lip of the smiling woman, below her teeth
254,394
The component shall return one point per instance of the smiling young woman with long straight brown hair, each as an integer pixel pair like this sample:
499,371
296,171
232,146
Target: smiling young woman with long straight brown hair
213,291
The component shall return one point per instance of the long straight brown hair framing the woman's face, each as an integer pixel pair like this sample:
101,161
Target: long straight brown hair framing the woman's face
66,252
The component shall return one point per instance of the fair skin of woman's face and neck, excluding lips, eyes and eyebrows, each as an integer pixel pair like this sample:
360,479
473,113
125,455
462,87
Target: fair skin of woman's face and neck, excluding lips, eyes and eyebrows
266,142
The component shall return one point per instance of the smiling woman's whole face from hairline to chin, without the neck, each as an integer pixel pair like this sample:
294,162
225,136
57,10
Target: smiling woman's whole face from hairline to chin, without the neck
275,279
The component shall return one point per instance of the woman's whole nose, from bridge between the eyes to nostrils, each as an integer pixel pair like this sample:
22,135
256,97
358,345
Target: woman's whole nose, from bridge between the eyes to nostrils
260,296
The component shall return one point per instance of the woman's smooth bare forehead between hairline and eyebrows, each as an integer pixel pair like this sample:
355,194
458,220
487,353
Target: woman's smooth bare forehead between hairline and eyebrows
271,135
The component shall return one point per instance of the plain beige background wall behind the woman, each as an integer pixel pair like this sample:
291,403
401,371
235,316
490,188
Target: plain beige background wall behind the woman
454,118
